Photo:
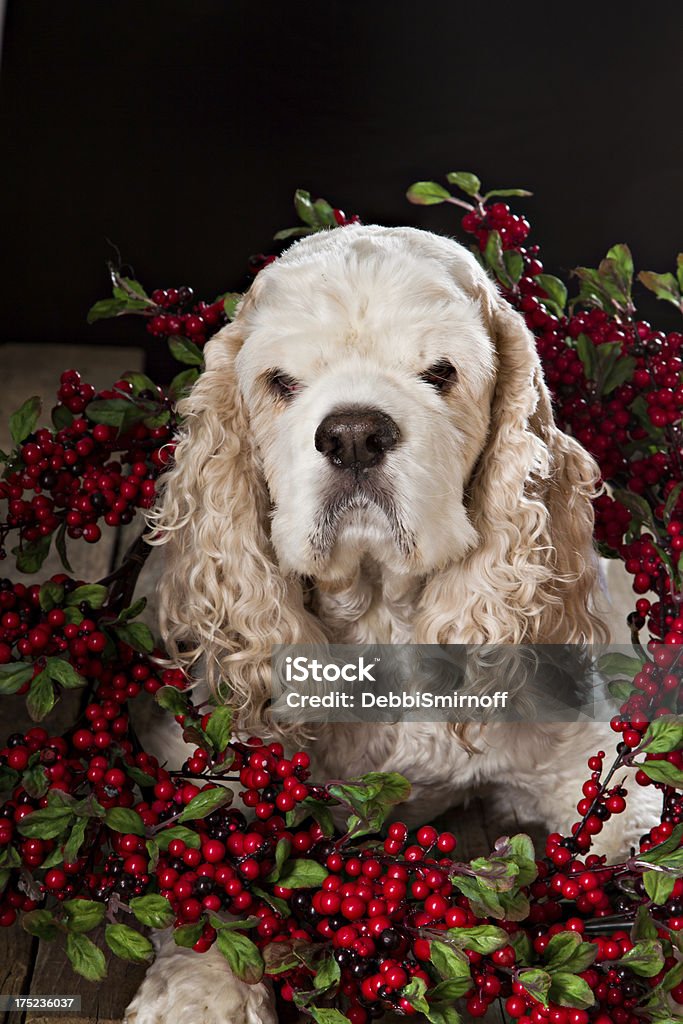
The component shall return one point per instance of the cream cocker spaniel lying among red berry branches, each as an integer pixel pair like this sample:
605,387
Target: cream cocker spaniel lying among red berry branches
371,457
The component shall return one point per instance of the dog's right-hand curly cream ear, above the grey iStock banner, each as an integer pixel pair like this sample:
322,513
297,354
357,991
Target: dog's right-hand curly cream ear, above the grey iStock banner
533,576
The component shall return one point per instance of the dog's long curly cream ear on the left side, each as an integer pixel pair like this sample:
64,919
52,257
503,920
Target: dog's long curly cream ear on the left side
223,596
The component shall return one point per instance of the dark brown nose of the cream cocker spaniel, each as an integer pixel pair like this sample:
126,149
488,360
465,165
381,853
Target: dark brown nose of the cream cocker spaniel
359,439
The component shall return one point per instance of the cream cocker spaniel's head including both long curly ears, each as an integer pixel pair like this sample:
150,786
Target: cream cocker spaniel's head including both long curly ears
375,398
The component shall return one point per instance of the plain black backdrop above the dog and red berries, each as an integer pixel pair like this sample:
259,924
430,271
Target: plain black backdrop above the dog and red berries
180,131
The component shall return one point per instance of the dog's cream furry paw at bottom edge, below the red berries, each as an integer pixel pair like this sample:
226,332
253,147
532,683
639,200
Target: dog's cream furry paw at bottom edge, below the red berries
198,991
